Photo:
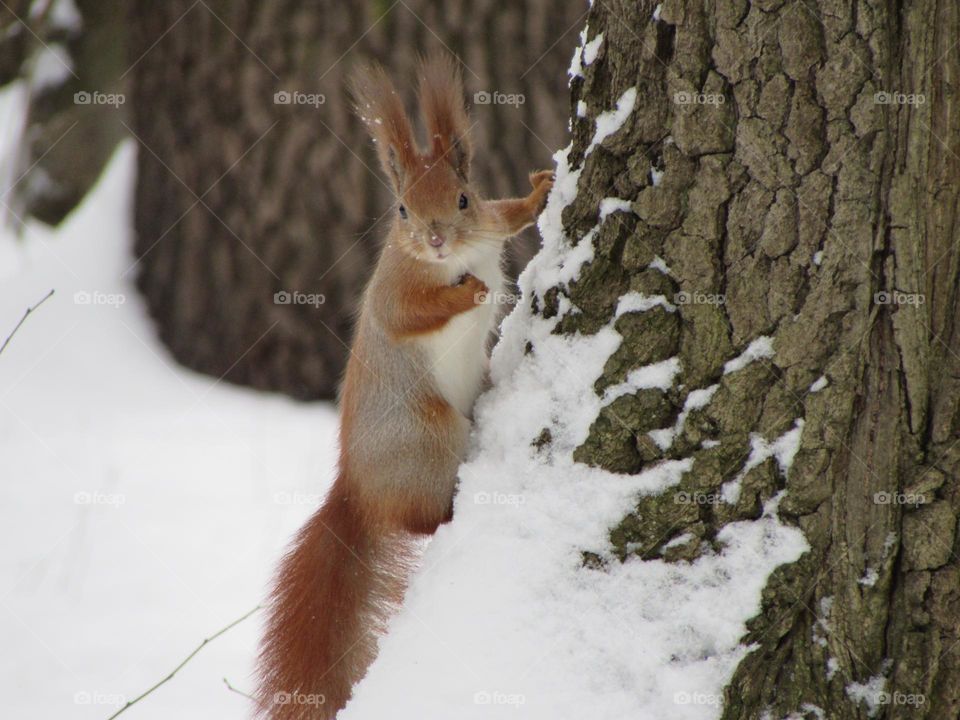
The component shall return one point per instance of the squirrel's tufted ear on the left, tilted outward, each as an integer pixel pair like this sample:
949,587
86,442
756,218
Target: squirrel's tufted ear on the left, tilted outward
378,104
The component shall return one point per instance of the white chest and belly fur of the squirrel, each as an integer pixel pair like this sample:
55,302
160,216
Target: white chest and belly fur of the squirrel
457,353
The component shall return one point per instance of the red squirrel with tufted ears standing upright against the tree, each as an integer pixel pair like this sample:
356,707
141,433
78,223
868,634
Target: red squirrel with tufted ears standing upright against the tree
416,366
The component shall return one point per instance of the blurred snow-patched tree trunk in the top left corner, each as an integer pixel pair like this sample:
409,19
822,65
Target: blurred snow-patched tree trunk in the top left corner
60,52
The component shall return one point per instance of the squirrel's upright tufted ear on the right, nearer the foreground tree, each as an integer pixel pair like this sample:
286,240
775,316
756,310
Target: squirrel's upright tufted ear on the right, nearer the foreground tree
444,114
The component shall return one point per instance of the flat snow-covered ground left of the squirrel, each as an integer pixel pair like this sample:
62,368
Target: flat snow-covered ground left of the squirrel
142,506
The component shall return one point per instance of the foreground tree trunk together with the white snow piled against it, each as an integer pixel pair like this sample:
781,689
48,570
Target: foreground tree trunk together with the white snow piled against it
716,474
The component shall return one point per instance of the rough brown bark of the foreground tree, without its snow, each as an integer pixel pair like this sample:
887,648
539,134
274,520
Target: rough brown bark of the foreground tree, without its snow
809,193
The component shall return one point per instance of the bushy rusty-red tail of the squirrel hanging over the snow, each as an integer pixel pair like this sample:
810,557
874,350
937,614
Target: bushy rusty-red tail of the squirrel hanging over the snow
333,593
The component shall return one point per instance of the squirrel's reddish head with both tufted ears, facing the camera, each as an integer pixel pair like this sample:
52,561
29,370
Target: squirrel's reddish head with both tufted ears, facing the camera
434,204
